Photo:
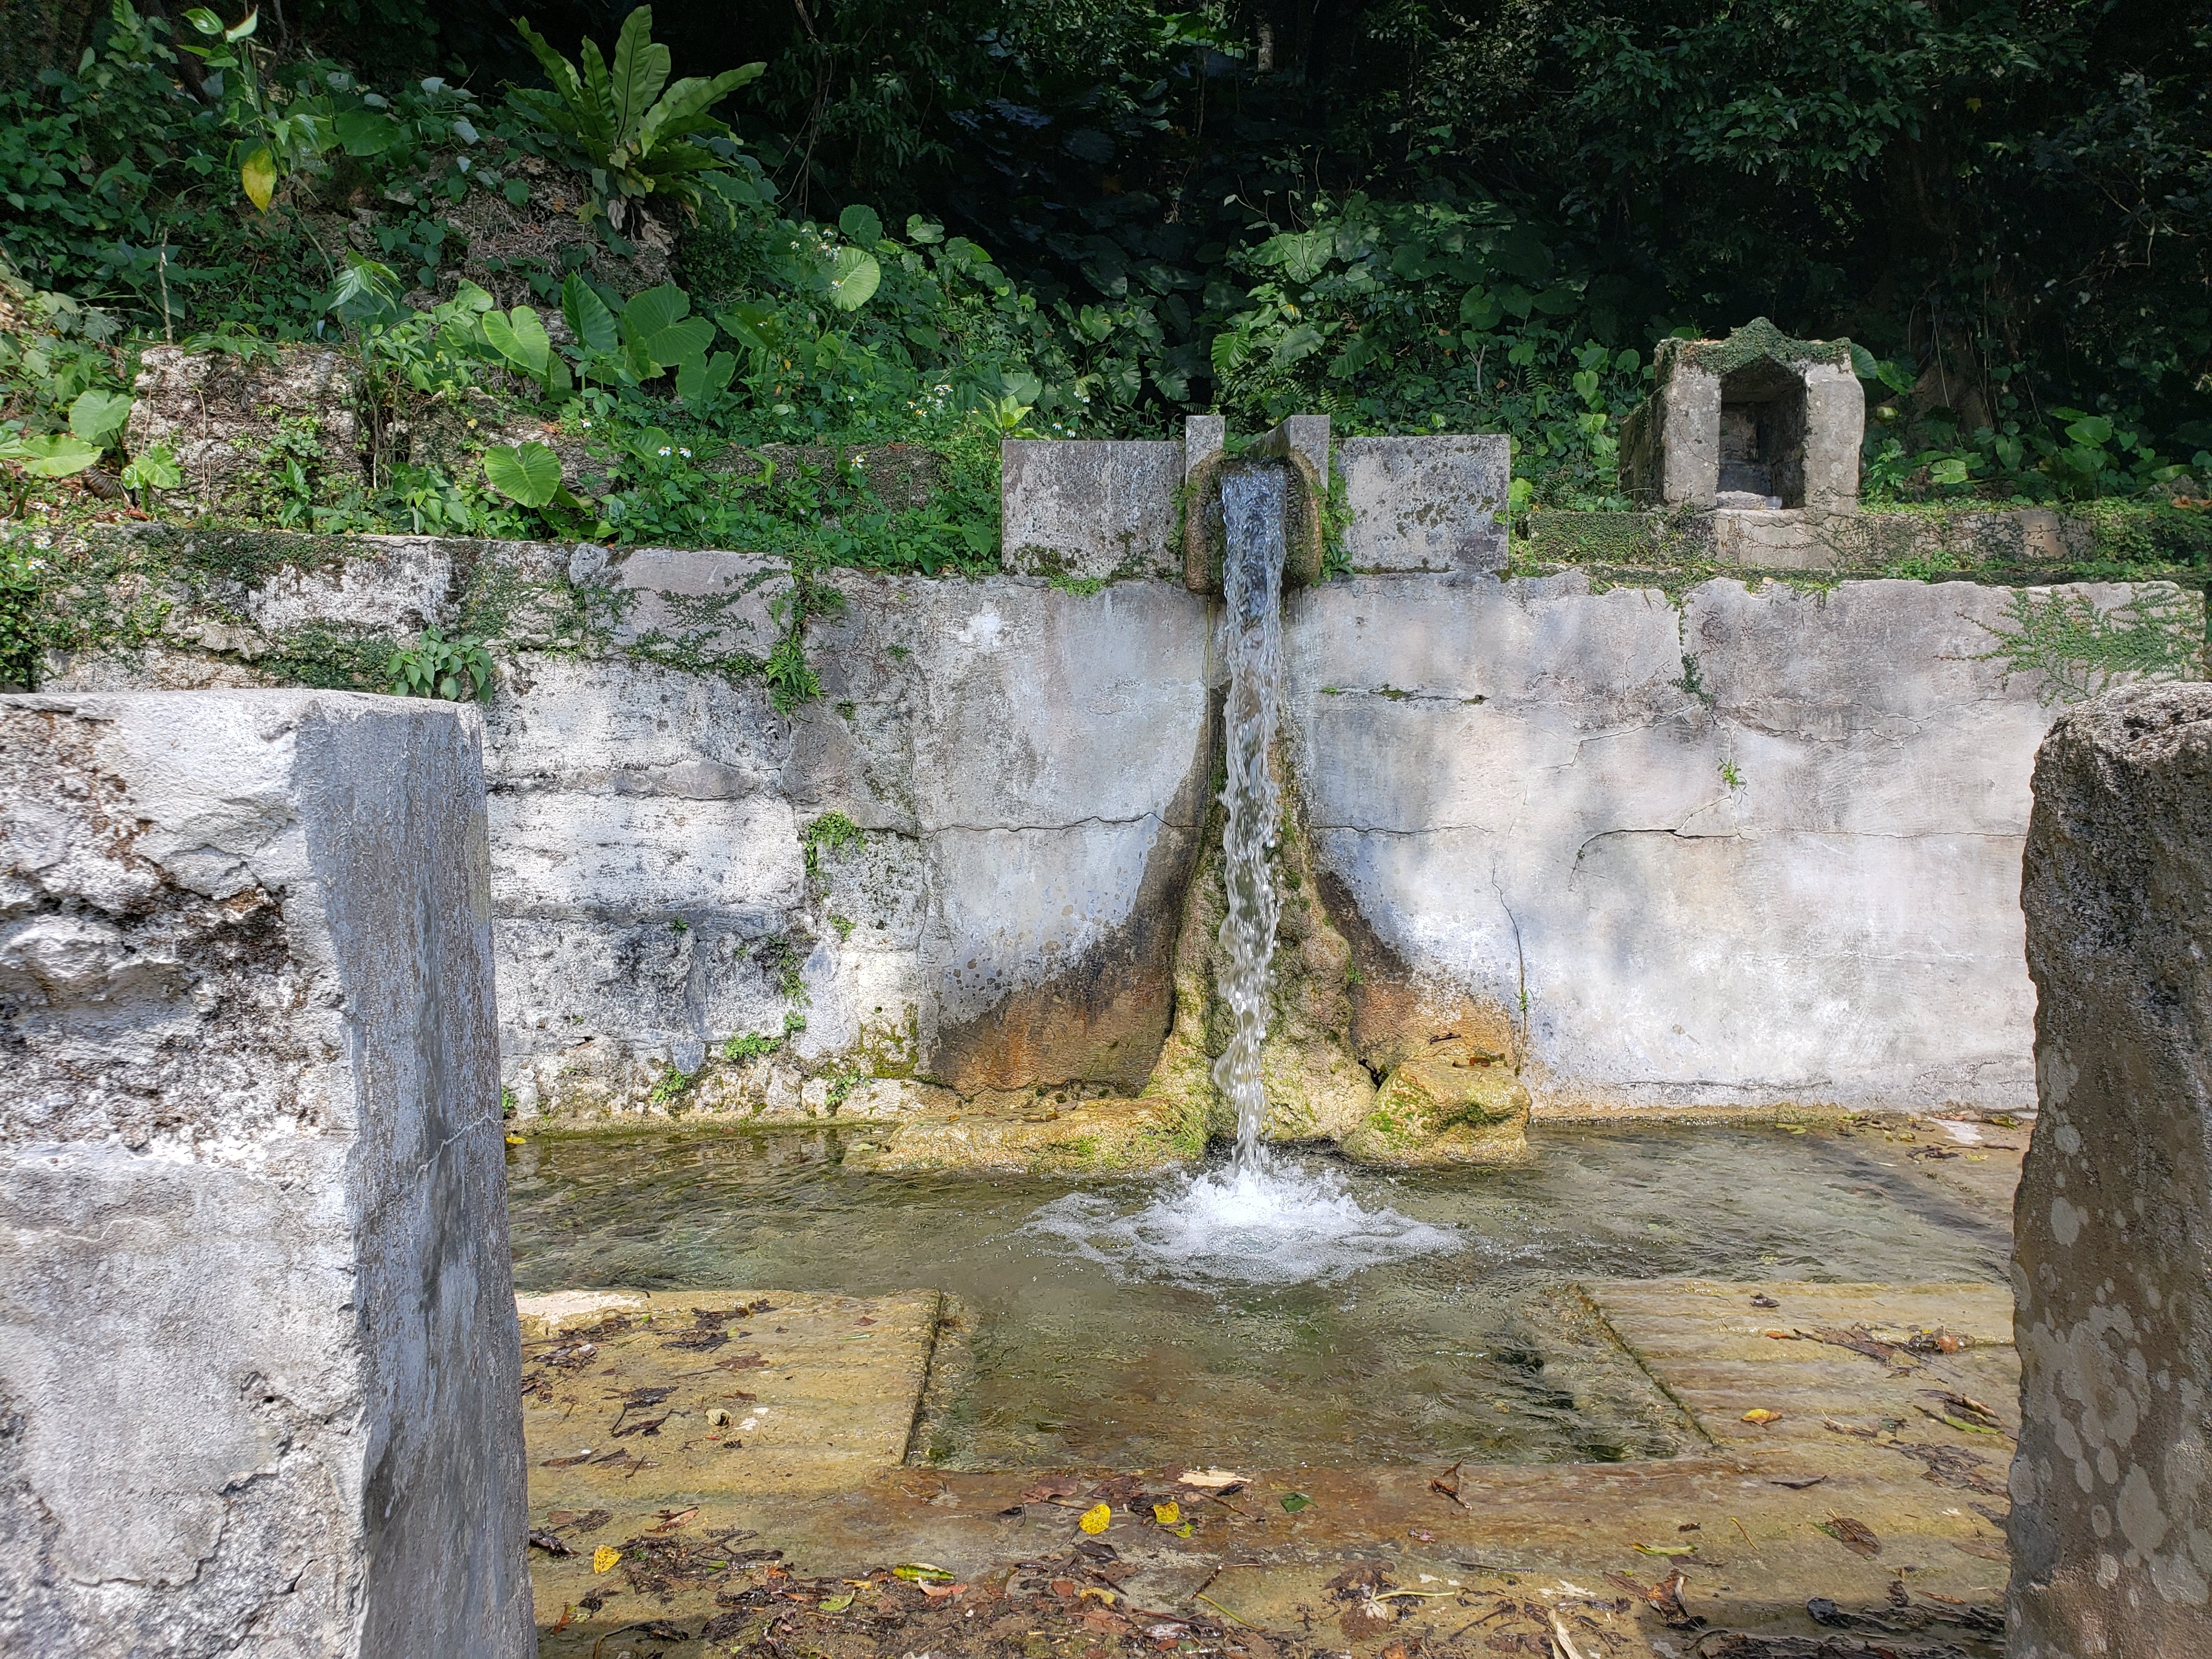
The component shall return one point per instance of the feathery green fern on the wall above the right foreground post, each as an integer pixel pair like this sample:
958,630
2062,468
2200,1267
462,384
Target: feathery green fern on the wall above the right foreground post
2078,651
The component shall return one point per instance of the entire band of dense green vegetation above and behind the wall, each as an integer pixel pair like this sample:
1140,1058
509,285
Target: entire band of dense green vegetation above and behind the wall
870,222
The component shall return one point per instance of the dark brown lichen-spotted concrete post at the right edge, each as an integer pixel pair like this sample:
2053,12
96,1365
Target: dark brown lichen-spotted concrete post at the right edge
2114,1258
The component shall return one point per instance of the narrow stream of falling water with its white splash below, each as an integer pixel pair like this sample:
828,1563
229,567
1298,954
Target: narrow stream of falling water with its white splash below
1262,1220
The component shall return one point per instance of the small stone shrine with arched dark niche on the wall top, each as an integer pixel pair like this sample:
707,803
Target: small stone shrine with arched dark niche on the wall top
1757,421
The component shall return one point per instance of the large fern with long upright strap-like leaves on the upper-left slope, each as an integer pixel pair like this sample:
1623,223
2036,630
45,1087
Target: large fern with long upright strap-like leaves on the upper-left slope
636,134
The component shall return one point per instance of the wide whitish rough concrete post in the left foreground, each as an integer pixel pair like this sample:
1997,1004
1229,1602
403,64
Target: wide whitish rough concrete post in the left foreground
258,1346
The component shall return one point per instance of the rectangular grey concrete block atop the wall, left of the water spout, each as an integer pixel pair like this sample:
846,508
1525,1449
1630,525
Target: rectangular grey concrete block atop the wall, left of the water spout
1092,508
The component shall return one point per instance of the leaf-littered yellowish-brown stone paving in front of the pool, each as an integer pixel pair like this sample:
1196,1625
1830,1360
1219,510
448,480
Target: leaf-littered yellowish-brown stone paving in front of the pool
1749,1516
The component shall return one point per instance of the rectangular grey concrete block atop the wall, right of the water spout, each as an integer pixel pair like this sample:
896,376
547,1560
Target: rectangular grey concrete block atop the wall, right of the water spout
1426,503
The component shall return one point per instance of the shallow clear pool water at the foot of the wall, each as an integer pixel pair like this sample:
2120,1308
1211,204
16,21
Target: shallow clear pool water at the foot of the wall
1085,1350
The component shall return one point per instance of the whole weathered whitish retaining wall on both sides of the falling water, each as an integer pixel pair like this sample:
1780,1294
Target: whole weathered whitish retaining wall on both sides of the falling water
1733,848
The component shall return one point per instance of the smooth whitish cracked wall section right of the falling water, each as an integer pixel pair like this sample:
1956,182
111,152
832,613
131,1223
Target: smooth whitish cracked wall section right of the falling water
1755,851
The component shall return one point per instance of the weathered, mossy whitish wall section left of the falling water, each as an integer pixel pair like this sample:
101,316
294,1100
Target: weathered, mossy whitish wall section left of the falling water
1027,778
